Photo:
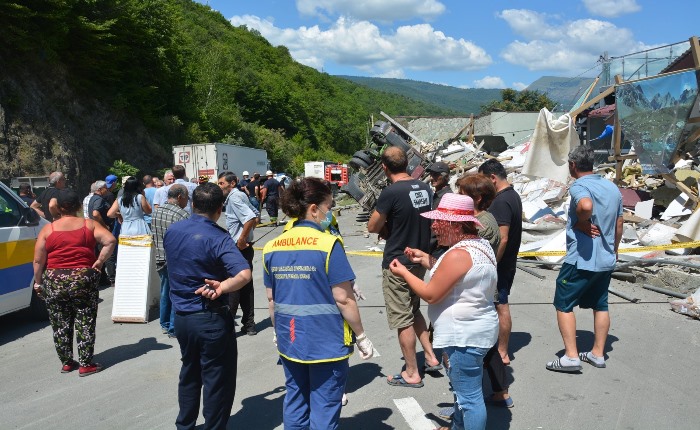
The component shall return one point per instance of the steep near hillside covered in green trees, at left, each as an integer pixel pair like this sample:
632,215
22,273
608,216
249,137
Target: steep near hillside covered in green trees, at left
86,82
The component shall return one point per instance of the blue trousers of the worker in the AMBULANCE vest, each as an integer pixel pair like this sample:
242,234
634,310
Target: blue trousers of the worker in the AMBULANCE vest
314,394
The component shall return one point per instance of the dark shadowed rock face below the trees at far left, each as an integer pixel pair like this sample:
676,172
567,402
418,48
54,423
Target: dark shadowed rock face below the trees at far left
46,126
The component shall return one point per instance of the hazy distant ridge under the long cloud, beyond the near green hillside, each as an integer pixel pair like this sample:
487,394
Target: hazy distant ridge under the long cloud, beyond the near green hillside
458,100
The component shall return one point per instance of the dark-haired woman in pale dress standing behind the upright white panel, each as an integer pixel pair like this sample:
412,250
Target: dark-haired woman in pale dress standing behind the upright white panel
131,207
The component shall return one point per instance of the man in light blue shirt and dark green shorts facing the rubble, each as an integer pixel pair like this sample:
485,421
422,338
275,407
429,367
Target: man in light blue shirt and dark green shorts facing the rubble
593,233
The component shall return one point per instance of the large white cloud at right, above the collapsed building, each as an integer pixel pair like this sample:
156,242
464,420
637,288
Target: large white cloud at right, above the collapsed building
569,47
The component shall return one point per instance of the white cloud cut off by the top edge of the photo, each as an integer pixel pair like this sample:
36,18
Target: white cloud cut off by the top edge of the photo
372,10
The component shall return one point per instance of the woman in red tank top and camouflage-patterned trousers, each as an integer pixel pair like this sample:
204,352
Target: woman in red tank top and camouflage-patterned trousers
67,272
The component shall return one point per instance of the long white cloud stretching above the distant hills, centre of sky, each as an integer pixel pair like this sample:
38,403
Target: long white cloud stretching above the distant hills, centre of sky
361,44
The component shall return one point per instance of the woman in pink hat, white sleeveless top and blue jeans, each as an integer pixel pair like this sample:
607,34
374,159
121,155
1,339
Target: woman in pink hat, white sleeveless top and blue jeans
460,296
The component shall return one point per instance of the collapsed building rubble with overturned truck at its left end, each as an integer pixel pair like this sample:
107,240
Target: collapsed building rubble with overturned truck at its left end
645,130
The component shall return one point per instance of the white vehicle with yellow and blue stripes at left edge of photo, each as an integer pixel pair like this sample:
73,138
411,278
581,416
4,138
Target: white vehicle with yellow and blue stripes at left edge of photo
19,228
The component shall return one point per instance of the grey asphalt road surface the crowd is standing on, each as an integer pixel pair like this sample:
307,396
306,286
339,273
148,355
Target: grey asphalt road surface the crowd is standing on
650,381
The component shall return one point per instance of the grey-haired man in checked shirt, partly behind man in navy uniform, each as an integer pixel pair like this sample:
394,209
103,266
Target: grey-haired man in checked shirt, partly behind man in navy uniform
161,218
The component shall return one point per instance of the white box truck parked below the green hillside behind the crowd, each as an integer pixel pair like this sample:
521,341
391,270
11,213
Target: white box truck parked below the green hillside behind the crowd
213,158
